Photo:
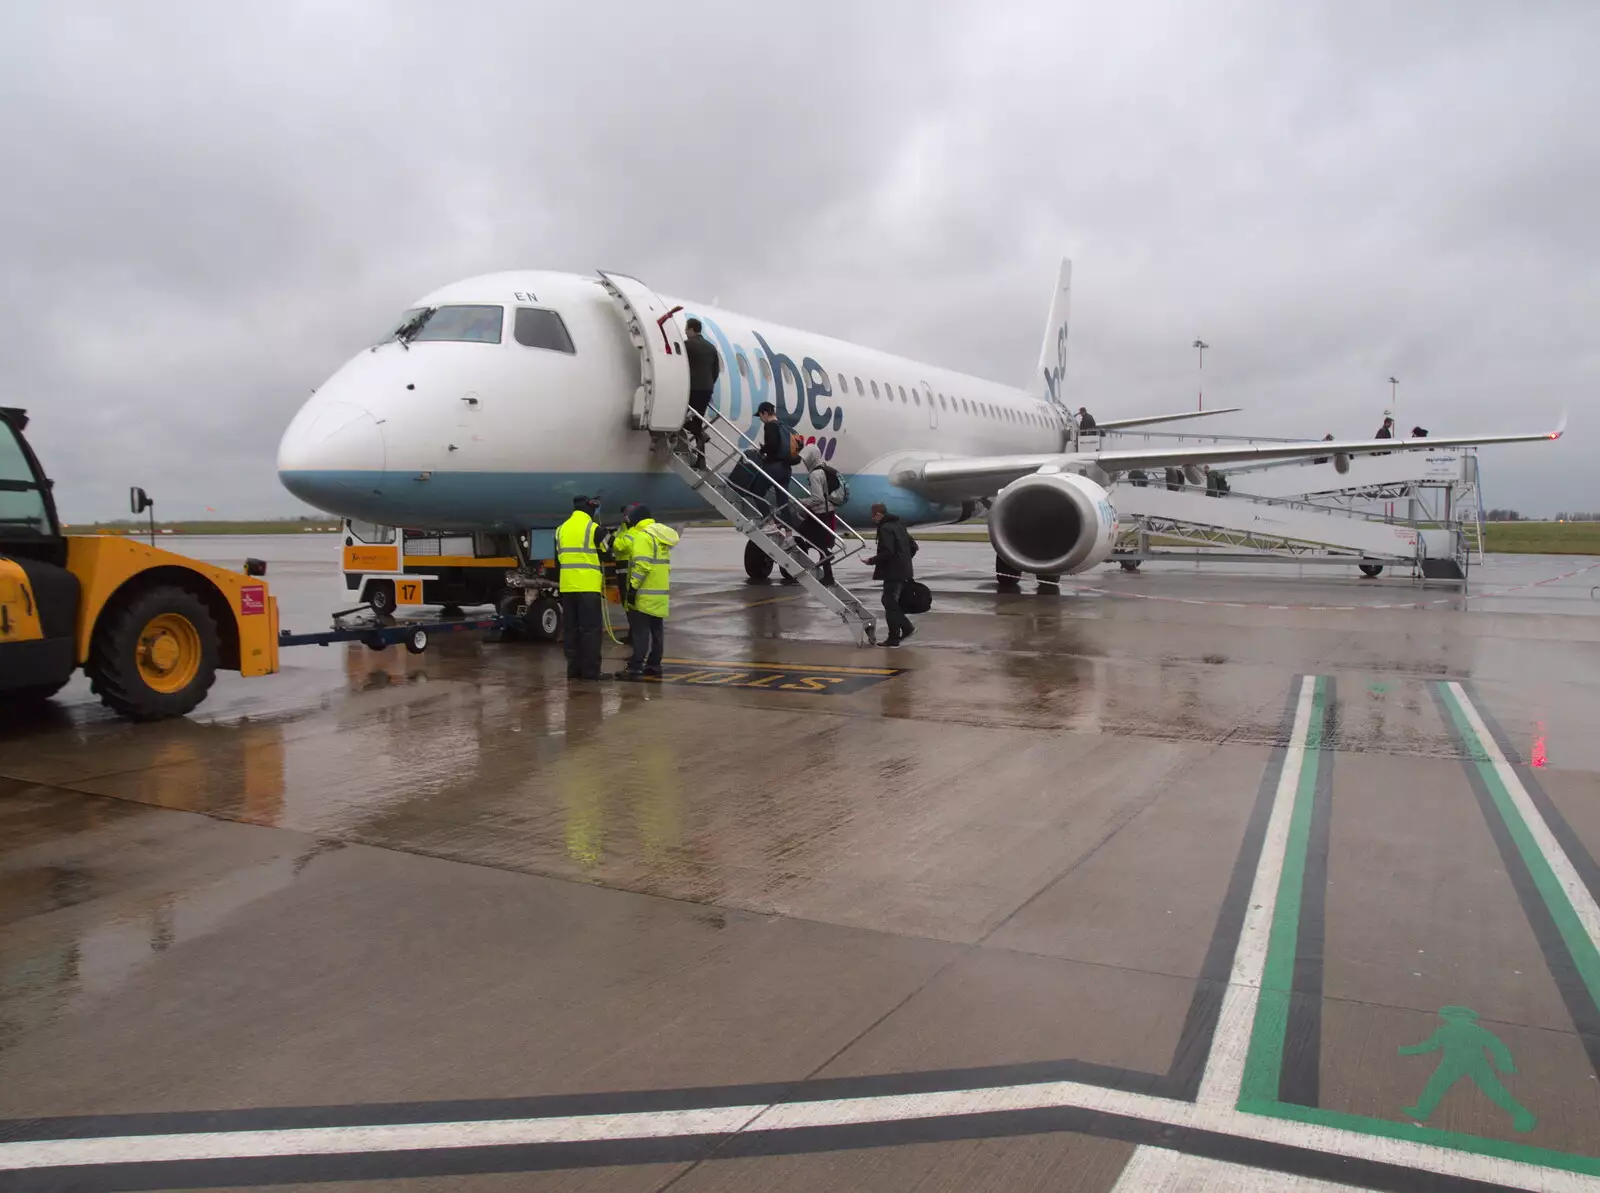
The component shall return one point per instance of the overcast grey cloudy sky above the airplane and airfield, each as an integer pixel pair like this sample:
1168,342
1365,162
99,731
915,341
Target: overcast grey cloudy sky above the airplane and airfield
209,207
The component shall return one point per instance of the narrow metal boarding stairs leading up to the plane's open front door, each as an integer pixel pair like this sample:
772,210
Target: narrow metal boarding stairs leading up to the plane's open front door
780,527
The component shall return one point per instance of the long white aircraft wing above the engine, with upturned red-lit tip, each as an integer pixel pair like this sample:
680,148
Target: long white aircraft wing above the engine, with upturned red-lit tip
985,476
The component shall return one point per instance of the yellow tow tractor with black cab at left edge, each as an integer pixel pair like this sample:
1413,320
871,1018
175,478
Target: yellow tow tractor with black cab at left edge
150,628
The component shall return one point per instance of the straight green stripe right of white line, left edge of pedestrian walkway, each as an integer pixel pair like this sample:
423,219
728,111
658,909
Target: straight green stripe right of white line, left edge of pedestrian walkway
1265,1059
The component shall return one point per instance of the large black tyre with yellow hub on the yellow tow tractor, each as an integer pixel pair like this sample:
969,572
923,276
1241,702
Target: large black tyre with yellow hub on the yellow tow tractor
156,655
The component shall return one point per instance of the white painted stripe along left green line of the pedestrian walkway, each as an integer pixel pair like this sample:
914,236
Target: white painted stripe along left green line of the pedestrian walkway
1225,1071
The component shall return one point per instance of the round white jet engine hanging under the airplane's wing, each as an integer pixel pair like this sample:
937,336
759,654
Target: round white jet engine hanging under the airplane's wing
1054,522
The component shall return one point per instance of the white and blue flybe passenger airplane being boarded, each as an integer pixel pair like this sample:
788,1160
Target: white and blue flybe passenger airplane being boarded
497,401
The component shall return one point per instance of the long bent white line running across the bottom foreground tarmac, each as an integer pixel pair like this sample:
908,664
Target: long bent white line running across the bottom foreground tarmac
838,1112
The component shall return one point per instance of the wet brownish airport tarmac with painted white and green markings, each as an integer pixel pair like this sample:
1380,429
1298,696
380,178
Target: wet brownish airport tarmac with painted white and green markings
1174,880
